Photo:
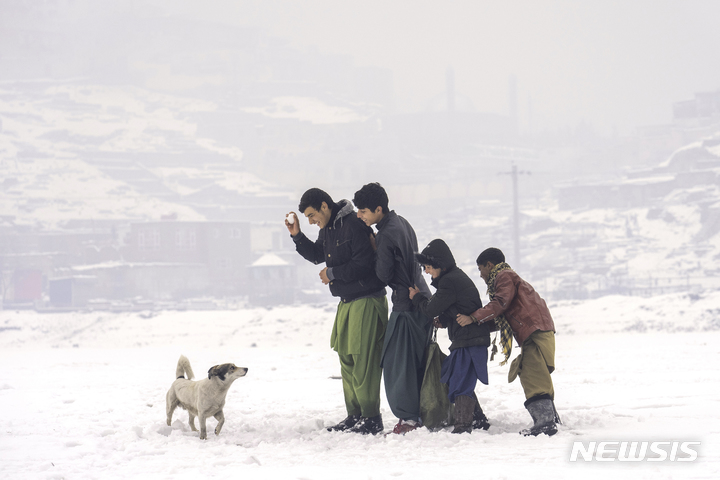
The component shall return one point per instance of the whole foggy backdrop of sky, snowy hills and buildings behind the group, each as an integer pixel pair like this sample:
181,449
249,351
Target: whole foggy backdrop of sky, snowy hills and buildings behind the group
151,149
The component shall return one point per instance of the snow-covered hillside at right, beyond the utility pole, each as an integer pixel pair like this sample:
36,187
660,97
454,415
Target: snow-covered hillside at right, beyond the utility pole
654,234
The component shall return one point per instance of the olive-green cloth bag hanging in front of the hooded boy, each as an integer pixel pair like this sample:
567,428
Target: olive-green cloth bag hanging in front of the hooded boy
434,402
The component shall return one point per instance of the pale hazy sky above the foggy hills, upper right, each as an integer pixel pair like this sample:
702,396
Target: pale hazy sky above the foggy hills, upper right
613,64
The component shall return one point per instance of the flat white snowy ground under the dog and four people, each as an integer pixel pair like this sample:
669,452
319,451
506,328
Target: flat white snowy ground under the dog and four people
83,396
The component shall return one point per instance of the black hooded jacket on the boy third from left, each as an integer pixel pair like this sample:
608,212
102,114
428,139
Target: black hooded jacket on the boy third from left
456,293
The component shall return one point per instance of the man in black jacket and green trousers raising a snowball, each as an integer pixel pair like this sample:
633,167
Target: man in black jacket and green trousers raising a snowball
344,245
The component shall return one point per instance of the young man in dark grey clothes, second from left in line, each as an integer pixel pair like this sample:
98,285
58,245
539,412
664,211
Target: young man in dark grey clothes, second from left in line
408,330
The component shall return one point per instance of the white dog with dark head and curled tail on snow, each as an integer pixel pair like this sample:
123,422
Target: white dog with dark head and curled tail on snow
204,398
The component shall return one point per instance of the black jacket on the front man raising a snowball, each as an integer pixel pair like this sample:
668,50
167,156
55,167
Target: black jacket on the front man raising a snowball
344,245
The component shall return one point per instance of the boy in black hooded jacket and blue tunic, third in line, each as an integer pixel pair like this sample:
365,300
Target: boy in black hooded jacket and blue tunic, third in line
467,363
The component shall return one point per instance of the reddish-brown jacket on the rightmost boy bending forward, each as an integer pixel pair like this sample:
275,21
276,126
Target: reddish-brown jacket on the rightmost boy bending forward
523,308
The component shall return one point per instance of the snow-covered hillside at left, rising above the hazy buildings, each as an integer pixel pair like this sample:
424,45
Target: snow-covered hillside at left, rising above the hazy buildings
75,151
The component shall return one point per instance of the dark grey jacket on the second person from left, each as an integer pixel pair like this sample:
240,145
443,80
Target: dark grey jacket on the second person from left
396,266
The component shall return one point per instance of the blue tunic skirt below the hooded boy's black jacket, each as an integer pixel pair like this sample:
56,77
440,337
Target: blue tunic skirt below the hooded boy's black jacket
462,369
